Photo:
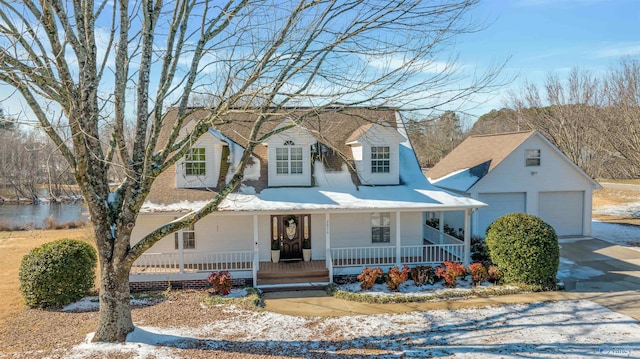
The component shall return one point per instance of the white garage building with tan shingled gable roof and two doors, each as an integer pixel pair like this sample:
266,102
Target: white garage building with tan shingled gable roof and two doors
518,172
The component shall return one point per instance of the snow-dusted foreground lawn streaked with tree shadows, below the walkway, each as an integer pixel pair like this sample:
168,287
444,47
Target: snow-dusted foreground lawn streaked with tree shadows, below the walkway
568,329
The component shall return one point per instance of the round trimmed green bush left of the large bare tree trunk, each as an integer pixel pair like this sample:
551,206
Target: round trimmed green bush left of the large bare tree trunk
57,273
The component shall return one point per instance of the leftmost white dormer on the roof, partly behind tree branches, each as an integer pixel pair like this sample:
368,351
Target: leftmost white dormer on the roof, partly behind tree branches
200,167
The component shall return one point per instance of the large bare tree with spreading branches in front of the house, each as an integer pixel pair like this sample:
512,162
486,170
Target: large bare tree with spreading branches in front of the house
86,67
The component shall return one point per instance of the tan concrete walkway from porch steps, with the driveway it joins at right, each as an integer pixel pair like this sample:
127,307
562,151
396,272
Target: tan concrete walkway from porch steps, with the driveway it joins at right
616,285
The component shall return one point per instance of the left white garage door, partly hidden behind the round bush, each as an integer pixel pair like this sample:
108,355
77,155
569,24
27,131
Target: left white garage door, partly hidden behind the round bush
499,205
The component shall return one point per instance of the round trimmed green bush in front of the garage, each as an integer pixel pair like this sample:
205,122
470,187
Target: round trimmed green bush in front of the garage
525,248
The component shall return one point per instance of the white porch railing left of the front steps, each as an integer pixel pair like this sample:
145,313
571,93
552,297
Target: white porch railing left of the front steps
157,263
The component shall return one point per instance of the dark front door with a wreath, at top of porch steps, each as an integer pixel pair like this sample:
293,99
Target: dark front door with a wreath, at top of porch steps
289,230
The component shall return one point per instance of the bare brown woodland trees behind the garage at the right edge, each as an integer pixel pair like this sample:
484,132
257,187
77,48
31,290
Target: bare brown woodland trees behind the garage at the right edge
593,120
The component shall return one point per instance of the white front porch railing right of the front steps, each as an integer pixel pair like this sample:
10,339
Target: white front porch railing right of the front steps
430,254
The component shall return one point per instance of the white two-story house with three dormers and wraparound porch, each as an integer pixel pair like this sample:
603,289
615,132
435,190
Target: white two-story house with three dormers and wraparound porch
344,182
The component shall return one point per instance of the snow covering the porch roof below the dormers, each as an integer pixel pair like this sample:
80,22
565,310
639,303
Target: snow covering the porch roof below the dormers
335,191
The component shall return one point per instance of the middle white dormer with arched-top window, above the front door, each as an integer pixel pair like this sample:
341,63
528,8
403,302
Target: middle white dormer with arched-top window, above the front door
289,156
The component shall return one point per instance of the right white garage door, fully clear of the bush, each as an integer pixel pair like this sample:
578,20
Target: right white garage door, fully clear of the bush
563,211
